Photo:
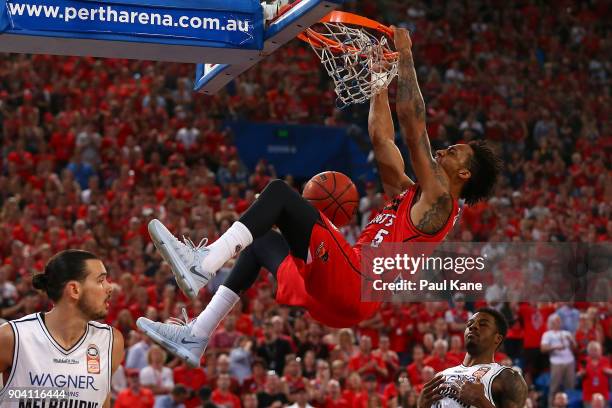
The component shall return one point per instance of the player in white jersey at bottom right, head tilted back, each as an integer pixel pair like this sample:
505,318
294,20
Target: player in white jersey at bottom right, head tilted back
479,381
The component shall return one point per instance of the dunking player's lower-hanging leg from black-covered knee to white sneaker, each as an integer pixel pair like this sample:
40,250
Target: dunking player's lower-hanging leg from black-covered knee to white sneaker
188,341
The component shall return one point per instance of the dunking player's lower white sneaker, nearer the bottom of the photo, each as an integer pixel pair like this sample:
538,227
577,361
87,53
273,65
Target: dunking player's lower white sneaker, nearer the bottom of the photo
175,337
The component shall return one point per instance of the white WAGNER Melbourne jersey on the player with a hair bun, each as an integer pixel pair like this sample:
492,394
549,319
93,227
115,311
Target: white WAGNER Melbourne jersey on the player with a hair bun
80,376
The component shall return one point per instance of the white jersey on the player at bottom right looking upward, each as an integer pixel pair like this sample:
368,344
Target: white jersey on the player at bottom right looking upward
486,373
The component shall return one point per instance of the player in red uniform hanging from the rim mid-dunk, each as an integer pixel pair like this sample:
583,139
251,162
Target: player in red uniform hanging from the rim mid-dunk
313,264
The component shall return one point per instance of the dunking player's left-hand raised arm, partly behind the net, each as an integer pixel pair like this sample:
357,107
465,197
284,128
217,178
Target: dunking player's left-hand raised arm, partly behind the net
387,155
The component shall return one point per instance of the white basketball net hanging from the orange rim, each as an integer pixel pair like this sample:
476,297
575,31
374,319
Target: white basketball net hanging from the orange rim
357,65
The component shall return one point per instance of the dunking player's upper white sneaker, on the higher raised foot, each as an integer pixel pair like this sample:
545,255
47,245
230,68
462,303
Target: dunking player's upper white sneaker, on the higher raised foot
184,258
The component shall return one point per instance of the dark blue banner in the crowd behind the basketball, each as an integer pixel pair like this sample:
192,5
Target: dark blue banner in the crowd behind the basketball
302,150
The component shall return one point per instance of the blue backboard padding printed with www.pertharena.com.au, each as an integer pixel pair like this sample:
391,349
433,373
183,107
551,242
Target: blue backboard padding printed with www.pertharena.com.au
184,22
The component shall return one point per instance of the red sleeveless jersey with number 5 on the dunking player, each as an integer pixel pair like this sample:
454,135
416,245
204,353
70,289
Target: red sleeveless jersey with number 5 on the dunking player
393,223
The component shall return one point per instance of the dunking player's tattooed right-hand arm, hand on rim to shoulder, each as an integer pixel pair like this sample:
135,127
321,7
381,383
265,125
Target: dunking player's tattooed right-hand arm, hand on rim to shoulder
432,210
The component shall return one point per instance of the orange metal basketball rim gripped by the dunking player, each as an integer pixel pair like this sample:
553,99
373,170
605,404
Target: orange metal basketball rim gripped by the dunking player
319,41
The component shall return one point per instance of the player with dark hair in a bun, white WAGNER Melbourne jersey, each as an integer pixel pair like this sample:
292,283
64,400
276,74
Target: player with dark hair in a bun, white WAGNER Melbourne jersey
63,358
